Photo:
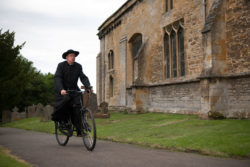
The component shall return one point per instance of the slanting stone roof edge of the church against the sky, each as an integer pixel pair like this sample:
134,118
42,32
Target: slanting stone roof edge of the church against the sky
118,13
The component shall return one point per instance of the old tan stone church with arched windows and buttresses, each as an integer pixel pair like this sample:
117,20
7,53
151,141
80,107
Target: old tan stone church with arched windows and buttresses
177,56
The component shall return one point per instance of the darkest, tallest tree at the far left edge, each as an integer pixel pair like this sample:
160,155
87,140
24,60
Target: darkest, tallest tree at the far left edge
13,69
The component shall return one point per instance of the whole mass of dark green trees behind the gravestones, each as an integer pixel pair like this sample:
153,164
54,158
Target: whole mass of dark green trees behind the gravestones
20,83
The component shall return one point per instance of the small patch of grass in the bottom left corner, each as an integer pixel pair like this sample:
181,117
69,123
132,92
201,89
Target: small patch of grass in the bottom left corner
8,160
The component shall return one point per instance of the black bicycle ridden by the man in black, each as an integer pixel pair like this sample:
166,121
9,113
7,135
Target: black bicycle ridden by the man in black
64,130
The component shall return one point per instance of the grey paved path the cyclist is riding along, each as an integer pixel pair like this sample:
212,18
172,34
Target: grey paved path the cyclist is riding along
42,150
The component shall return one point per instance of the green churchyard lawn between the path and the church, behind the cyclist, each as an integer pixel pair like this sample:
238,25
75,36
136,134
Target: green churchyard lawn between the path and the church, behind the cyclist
174,132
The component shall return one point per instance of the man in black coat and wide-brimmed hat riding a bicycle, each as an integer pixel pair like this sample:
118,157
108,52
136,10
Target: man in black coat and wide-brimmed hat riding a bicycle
66,77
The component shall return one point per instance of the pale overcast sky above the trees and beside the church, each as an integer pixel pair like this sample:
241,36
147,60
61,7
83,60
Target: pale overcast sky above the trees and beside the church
50,27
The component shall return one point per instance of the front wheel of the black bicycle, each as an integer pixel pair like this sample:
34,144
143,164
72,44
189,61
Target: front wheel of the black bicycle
89,129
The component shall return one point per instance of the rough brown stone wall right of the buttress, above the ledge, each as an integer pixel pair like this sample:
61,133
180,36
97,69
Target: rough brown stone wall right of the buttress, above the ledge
238,36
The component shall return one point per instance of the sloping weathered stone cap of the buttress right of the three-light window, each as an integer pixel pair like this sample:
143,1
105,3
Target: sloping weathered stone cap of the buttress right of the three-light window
210,20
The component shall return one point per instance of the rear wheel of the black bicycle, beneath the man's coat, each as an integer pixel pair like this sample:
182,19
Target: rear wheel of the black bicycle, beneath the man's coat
63,132
